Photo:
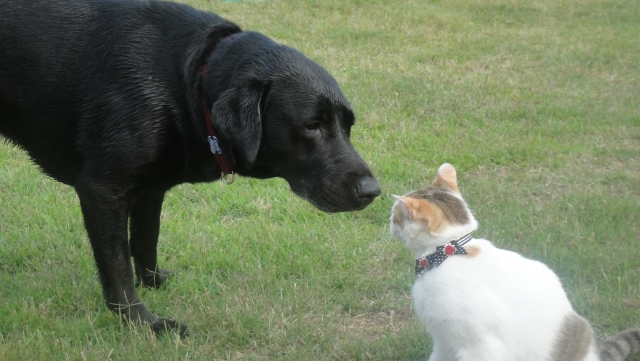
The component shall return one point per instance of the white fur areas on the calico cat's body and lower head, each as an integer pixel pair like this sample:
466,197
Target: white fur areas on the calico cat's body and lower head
494,306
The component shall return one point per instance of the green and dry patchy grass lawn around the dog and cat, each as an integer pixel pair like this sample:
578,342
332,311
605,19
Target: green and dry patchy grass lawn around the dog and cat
534,102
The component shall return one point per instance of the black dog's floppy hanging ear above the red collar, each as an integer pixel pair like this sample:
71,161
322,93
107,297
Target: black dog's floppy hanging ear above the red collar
237,115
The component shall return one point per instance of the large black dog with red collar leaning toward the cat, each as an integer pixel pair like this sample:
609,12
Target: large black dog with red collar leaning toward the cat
111,97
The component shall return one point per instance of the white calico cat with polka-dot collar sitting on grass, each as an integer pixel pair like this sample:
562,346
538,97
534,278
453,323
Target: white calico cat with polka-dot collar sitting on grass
483,303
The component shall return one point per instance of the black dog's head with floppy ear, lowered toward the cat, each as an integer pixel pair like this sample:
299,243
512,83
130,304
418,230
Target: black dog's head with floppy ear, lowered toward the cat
284,116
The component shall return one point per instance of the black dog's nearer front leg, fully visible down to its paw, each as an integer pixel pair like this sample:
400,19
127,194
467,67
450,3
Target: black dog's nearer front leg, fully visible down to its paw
106,212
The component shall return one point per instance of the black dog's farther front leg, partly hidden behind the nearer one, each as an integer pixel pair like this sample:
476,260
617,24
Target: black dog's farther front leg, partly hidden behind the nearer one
144,230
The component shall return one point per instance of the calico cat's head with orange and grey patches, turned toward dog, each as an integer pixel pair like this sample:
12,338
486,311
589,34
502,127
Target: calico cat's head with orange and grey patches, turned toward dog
433,215
